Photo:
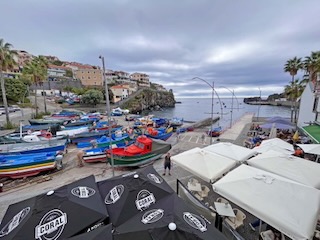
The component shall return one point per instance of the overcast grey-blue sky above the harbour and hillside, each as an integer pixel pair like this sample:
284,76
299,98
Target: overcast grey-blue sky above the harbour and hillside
235,46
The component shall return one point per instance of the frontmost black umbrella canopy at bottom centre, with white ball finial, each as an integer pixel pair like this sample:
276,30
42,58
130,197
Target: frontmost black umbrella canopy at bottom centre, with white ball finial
169,219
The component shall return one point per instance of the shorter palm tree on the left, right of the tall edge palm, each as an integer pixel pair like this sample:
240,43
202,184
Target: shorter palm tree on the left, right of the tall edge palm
37,71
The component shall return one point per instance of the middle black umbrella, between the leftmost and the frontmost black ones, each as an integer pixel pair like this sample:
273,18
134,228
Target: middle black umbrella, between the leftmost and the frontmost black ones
129,194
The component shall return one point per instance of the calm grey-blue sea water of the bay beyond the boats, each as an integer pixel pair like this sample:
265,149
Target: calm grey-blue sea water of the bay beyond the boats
192,109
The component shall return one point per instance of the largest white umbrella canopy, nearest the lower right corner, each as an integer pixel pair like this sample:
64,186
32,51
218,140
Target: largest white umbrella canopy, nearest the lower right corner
288,206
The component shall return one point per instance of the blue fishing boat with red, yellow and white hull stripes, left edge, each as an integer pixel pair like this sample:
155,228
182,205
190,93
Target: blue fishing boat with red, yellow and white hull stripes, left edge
25,165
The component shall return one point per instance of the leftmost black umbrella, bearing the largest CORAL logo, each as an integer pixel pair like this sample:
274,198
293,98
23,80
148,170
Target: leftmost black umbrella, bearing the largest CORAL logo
59,214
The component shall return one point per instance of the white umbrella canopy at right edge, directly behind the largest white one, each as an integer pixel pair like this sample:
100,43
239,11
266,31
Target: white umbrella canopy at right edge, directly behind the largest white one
294,168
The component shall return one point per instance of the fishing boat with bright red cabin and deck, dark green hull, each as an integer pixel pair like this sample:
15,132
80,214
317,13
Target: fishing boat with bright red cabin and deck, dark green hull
144,151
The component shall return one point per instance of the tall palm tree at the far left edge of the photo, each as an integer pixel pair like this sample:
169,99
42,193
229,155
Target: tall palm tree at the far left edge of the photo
6,63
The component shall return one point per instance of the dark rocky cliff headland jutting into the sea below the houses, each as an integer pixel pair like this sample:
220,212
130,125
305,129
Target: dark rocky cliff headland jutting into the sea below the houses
149,99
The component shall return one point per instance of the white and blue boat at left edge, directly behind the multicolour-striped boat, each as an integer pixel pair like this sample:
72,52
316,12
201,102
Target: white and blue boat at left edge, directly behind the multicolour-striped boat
34,147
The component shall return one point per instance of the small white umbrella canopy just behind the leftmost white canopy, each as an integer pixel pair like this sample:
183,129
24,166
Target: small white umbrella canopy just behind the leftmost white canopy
230,150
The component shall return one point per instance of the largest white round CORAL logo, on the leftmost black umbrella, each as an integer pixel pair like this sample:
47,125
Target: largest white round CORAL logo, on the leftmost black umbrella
51,225
